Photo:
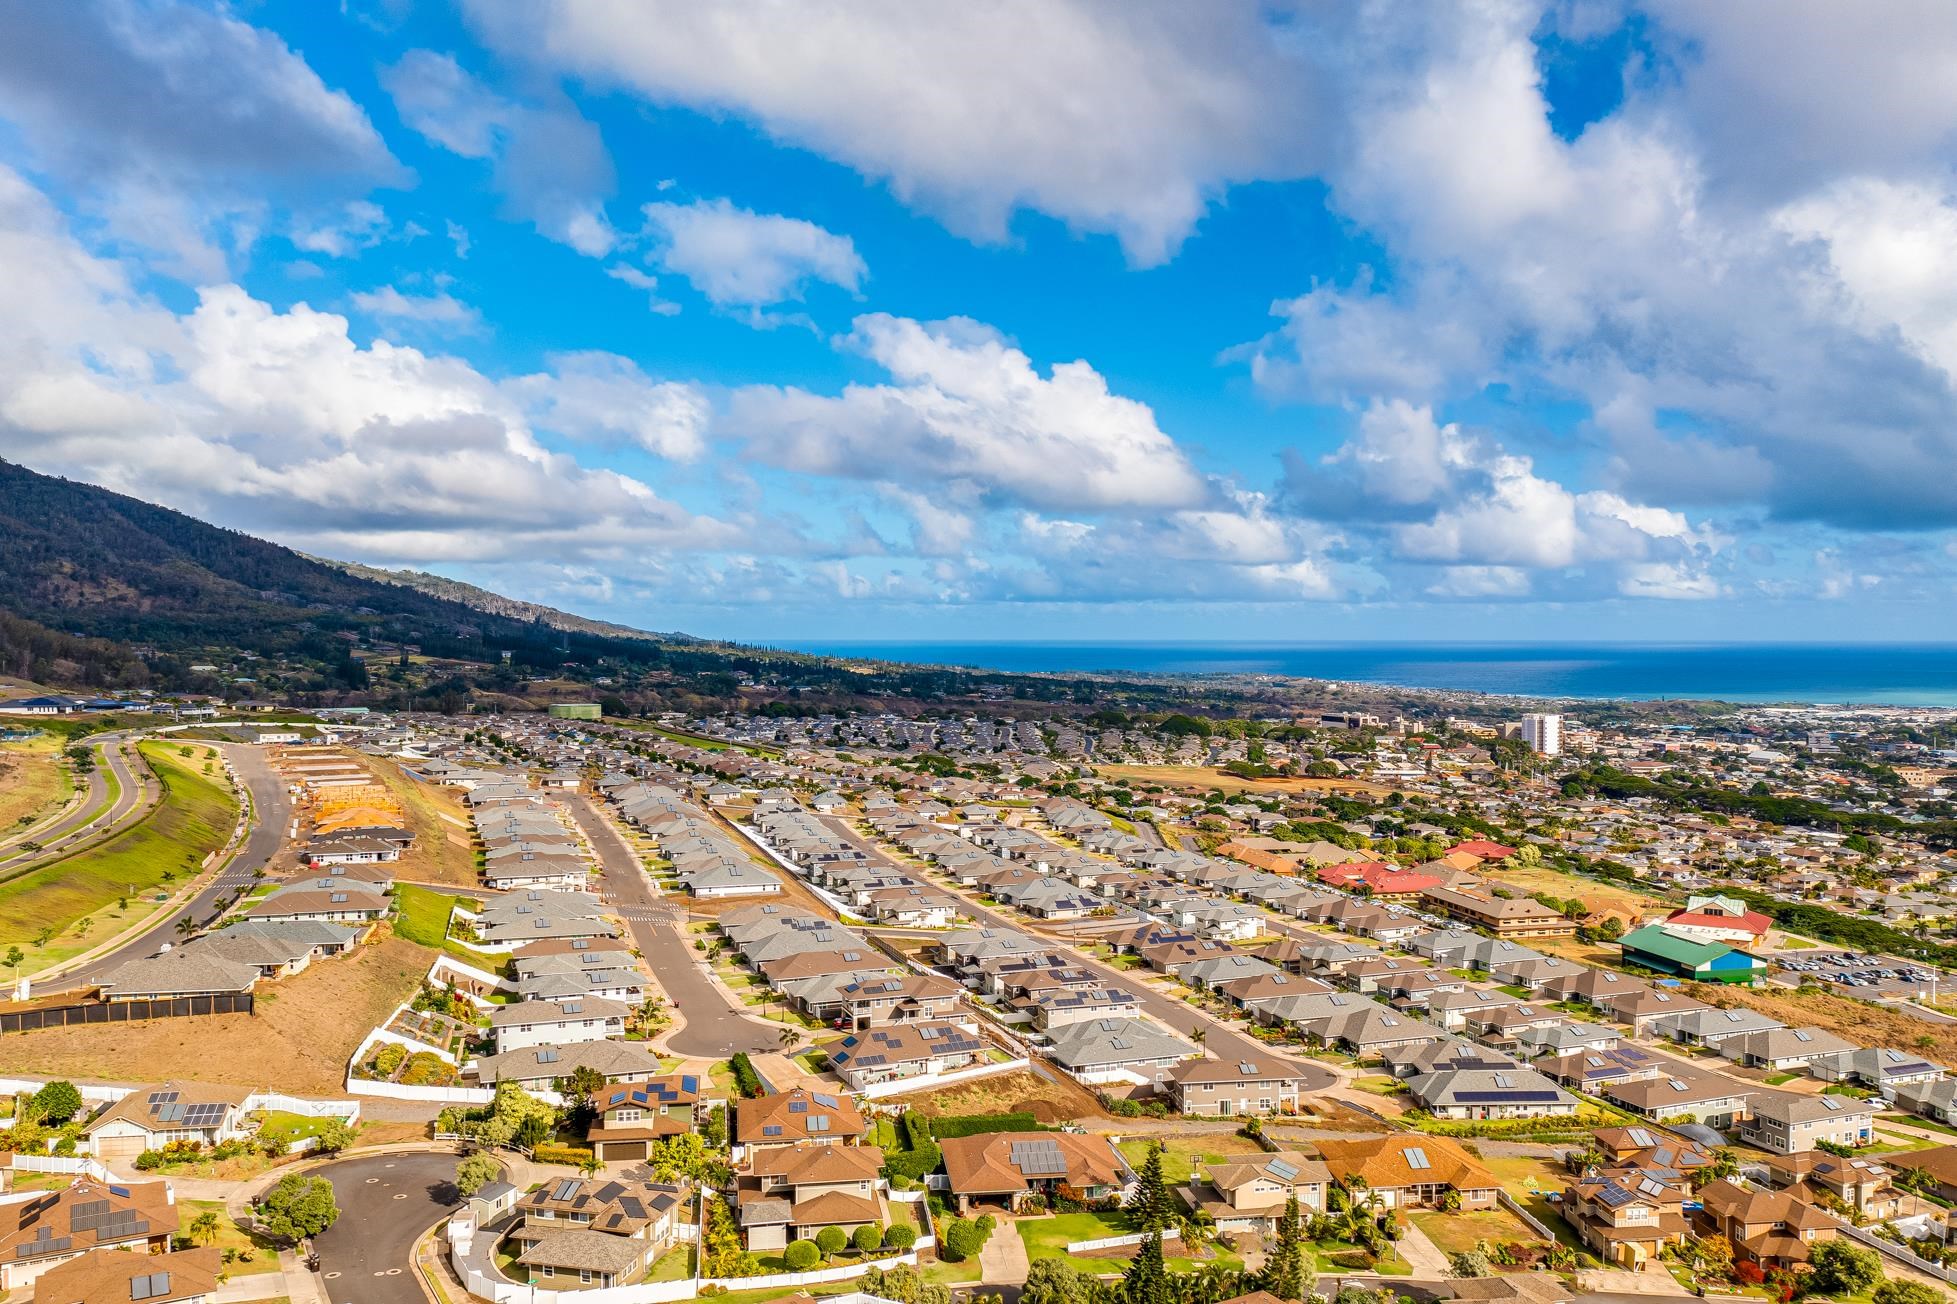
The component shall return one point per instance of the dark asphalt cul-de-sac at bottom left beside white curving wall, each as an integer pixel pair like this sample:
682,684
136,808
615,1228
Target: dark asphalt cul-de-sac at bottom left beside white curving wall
387,1203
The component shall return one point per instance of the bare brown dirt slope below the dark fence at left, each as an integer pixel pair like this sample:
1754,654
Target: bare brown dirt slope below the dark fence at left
300,1039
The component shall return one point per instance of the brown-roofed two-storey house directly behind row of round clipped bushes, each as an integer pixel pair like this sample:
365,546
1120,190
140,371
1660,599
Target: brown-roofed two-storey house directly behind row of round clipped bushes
792,1193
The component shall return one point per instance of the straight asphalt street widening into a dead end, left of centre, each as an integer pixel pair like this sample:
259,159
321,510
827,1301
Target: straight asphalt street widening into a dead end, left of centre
715,1023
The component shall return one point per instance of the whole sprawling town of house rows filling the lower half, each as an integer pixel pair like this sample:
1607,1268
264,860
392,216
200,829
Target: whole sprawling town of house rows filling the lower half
741,1001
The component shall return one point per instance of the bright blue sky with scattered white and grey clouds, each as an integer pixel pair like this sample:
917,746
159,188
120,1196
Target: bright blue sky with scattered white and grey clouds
1040,320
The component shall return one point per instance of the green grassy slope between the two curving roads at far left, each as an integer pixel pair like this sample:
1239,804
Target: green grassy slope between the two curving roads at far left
193,821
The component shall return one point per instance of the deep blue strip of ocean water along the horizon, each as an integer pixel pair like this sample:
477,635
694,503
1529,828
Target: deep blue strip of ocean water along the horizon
1893,675
